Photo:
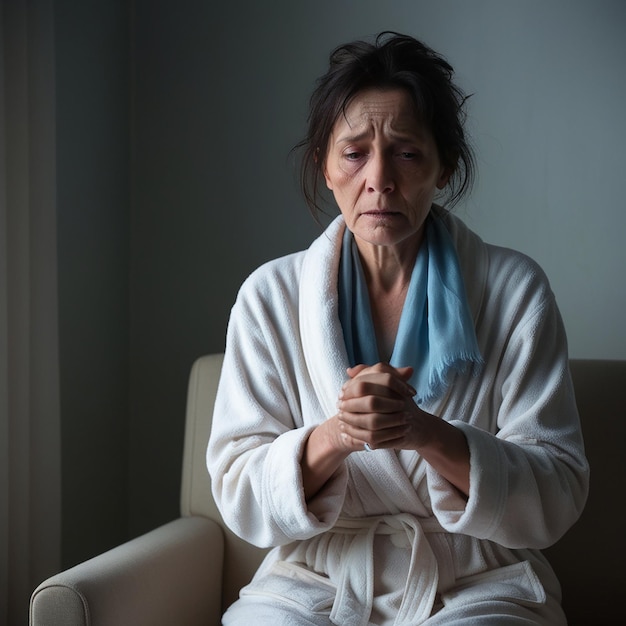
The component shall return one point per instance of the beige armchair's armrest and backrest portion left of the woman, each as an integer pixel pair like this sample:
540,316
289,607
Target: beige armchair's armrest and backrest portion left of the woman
181,573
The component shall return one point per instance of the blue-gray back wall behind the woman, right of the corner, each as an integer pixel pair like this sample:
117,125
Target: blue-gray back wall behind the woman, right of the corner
217,98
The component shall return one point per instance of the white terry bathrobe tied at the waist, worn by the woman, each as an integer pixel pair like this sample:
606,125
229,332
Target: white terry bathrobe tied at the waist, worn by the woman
388,540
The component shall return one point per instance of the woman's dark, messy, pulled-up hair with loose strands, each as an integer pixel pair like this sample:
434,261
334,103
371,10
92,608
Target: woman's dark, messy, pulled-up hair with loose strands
392,61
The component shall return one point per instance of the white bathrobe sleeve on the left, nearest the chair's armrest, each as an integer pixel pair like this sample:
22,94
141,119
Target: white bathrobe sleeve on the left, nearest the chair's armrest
263,416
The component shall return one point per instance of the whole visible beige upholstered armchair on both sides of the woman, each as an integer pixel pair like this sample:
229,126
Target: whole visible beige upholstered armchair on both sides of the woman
186,572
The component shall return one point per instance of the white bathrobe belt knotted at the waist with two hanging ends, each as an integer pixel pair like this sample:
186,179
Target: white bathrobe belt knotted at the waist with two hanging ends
355,588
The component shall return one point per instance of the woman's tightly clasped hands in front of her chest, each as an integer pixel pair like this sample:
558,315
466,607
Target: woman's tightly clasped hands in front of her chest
376,407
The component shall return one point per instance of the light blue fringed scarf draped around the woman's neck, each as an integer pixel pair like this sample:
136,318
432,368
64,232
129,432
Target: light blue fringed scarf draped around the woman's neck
436,335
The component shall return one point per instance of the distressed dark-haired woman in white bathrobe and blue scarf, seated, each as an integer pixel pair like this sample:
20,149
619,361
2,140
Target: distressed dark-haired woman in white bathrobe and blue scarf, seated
395,415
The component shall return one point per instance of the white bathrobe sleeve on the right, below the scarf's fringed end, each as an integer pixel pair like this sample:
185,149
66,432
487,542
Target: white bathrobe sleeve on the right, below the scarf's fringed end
528,471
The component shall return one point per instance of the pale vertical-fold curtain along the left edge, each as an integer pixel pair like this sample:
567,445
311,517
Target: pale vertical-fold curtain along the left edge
30,466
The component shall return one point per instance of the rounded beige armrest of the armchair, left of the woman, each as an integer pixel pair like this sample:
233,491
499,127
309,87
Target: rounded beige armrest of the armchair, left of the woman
171,575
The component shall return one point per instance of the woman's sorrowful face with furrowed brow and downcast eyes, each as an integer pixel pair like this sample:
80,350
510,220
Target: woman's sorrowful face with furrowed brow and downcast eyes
383,168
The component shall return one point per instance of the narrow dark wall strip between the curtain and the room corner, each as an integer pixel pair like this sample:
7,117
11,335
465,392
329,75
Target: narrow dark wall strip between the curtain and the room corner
93,216
